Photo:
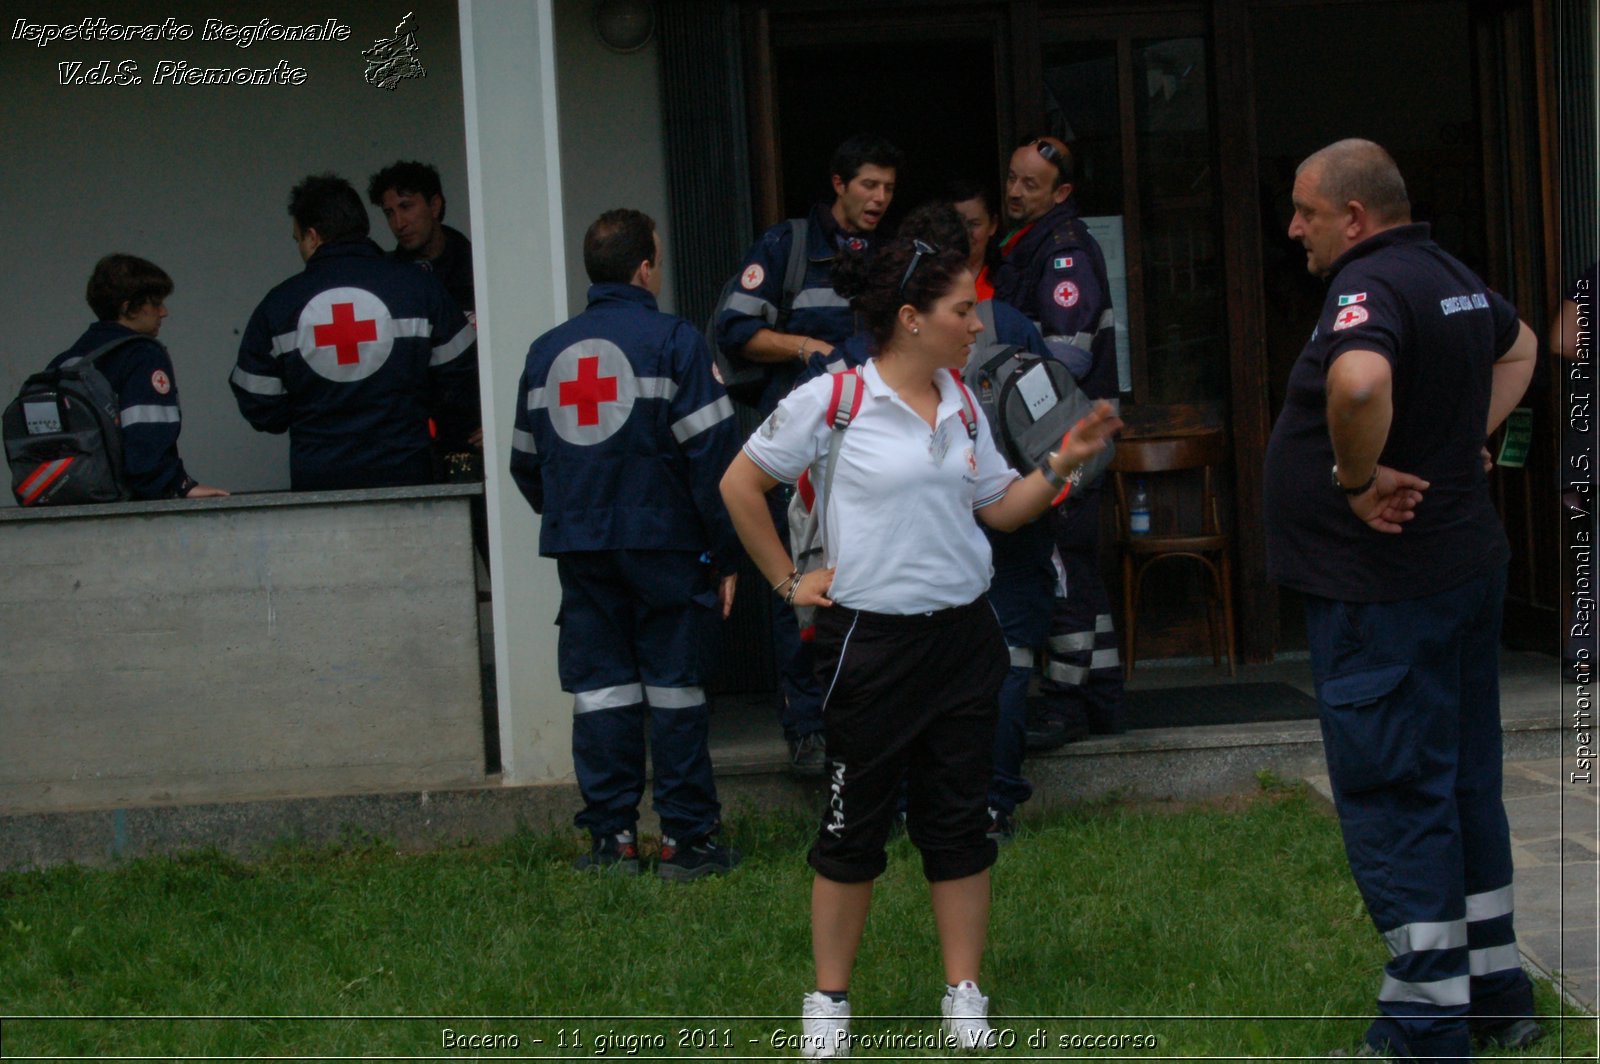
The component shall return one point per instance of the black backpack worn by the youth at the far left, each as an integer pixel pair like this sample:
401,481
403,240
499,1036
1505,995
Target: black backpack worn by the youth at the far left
63,436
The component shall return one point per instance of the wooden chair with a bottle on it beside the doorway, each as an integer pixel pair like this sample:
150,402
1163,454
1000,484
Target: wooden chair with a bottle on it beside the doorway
1154,460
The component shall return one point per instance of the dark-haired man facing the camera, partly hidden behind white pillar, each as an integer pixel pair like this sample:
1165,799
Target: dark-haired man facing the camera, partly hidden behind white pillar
414,204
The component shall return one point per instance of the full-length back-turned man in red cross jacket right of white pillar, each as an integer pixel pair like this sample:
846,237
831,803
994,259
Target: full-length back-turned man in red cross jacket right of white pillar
622,439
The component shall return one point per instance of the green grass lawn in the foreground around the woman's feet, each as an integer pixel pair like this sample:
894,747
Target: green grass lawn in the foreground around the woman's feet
1218,932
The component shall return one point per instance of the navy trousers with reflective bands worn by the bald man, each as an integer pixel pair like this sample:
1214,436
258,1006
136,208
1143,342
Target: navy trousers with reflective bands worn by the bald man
1410,721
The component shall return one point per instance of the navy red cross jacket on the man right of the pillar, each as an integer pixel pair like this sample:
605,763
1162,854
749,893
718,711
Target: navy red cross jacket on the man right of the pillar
623,433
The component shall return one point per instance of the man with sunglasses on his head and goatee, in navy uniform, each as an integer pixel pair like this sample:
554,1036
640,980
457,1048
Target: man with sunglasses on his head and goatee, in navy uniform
1054,271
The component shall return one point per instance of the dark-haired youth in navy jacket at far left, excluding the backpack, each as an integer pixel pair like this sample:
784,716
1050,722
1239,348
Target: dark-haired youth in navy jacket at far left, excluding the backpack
129,297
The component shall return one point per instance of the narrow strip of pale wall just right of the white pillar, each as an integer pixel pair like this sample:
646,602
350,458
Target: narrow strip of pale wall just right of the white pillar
612,138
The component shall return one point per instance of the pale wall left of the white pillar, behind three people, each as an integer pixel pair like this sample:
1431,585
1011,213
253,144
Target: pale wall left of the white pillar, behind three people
196,178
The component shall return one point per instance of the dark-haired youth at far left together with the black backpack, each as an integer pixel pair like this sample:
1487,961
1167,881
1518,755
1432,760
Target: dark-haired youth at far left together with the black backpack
129,297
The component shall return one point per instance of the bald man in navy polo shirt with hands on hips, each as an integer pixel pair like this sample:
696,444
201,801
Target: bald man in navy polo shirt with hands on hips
1412,366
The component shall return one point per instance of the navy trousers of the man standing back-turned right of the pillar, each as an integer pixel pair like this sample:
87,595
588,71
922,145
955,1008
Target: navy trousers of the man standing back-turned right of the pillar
636,626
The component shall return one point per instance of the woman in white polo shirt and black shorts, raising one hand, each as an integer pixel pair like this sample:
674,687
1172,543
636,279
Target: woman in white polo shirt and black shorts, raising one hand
910,654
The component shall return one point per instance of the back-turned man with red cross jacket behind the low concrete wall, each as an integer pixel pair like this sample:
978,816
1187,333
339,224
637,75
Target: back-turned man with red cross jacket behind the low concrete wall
354,354
